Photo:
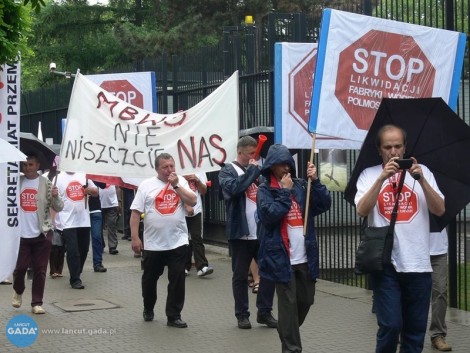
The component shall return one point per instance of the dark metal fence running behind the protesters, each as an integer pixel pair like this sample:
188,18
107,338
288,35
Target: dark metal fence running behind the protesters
184,80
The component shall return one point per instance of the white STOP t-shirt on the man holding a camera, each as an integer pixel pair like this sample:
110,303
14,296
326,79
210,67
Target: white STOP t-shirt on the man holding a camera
411,240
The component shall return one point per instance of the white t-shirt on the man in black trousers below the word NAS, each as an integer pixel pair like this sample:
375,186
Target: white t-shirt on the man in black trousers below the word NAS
164,221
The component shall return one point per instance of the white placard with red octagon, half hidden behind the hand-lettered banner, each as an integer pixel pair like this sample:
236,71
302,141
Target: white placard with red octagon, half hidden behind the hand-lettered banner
136,88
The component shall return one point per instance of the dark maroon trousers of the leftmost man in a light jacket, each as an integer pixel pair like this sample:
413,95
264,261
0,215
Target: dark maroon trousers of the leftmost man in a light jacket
34,252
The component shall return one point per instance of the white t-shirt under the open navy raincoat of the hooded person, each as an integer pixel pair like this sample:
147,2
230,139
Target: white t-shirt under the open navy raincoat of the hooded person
295,231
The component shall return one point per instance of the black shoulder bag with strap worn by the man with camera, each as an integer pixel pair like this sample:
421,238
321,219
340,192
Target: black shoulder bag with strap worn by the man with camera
375,248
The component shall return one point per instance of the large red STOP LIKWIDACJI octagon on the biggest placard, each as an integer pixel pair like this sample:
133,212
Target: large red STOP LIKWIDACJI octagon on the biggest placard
381,65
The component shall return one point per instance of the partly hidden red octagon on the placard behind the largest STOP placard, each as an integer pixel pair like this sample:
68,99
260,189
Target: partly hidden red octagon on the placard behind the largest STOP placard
300,88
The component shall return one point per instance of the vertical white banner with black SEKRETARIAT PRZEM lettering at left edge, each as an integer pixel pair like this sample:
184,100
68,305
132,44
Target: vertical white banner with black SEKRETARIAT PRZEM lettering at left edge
9,171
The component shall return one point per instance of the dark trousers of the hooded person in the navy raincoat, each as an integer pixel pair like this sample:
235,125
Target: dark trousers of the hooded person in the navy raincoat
294,301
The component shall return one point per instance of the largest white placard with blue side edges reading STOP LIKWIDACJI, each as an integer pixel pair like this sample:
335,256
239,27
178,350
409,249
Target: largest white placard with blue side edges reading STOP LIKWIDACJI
362,59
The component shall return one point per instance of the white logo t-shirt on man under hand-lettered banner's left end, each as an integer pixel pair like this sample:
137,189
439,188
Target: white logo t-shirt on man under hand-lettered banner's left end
75,213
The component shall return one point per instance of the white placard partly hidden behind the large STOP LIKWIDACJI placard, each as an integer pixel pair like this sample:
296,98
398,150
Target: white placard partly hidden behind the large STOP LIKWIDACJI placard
294,67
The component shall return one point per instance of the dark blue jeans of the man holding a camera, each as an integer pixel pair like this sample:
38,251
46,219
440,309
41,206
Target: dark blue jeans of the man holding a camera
402,305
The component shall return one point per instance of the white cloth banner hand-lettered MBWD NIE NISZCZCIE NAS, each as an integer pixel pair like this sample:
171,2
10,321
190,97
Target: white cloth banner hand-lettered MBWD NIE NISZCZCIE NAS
107,136
